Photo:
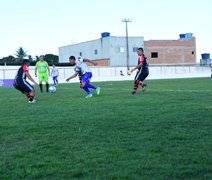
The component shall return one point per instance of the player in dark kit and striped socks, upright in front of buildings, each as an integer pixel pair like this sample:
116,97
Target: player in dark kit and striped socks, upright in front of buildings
143,71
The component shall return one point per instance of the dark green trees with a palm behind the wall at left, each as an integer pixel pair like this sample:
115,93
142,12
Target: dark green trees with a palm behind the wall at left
21,54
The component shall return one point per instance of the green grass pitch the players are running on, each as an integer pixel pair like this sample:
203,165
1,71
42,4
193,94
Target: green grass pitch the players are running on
163,133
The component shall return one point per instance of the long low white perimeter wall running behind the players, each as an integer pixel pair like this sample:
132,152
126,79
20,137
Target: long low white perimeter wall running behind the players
113,73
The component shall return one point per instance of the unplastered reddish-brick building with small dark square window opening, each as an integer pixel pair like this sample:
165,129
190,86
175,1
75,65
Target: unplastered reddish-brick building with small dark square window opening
181,51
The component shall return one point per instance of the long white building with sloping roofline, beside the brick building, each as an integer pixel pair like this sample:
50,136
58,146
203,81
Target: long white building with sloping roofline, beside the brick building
108,50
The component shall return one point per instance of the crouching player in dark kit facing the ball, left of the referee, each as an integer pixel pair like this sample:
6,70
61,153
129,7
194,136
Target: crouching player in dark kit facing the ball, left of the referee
22,85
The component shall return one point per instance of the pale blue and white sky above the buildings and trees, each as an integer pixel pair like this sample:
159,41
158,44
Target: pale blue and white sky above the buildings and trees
42,26
